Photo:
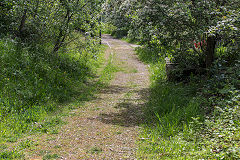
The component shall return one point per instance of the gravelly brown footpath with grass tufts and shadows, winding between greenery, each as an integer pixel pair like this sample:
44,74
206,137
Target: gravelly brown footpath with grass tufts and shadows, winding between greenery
107,127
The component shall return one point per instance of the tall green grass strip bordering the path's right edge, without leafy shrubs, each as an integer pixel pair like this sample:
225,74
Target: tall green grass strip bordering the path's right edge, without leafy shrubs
169,113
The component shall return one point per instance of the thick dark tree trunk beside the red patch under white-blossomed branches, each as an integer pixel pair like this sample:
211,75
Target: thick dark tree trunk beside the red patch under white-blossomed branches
210,50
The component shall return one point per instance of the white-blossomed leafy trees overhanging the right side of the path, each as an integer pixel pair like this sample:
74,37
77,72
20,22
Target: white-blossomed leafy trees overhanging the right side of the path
173,27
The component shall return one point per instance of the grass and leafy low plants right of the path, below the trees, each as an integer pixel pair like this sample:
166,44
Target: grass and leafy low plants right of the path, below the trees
194,120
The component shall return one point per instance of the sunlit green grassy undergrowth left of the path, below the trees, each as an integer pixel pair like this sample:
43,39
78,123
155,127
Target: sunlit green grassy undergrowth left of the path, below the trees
38,87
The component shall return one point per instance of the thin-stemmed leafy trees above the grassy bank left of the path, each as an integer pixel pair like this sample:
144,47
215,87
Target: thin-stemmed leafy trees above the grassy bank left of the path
48,21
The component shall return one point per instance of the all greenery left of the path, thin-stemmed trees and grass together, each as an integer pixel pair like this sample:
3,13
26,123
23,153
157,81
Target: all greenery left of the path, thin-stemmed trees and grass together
46,64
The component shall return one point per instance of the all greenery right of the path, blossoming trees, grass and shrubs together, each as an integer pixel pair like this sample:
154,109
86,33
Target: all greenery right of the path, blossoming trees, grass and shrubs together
196,115
